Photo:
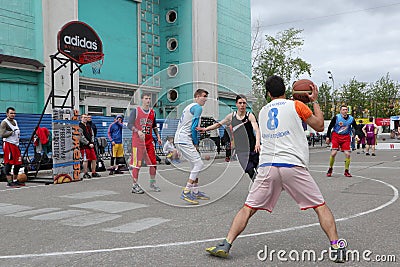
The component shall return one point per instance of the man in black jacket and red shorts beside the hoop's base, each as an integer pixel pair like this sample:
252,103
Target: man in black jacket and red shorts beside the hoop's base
87,147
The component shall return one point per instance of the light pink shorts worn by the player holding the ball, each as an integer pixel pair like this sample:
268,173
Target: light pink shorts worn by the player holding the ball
296,181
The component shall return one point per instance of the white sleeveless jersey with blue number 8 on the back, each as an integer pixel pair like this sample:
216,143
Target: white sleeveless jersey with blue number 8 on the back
282,135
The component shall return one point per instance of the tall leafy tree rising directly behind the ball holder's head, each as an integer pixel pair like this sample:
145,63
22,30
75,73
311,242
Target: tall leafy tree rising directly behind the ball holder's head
280,57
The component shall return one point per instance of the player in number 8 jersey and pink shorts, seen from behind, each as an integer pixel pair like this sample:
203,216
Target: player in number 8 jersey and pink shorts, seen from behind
283,166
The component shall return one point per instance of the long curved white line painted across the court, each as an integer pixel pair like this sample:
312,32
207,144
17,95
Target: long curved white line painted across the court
395,197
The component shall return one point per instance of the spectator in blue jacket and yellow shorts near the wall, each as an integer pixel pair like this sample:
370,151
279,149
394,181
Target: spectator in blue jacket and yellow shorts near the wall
115,137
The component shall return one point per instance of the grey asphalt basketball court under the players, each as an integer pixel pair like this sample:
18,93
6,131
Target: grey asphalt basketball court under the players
99,222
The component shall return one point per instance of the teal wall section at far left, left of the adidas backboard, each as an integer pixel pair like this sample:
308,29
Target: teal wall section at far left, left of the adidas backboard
21,35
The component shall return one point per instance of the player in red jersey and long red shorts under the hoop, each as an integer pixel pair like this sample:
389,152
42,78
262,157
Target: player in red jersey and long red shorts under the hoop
142,122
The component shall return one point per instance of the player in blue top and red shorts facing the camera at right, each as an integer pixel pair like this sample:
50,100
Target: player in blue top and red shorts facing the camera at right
341,125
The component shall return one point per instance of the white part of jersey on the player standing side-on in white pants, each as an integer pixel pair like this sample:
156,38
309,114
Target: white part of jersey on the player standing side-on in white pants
183,134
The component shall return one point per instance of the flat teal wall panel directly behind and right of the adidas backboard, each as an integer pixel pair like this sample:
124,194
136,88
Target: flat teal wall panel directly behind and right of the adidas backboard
116,24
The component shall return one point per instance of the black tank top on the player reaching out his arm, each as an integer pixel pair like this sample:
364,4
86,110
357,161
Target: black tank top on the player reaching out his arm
243,135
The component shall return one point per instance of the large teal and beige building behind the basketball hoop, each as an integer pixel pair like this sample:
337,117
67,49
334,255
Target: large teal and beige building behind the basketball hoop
166,48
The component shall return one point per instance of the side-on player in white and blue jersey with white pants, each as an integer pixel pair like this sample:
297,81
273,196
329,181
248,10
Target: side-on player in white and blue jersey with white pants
187,142
